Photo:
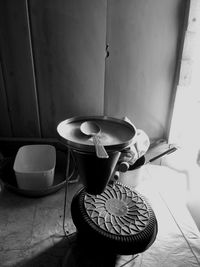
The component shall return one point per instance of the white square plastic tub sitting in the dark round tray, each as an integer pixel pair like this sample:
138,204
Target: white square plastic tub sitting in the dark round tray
34,166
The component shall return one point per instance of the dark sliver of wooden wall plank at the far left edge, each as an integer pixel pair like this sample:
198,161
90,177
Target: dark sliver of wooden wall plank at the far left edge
5,126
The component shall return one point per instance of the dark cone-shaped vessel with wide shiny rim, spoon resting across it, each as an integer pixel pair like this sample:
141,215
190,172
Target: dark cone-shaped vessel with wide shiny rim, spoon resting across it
116,134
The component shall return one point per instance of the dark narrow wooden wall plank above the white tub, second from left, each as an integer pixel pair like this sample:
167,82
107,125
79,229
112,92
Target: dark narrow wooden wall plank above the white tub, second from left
18,64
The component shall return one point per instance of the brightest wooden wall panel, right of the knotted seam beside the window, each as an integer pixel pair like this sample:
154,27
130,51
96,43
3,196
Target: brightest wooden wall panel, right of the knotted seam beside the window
142,38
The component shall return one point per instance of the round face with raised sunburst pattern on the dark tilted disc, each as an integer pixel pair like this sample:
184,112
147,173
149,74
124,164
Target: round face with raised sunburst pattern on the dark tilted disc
118,210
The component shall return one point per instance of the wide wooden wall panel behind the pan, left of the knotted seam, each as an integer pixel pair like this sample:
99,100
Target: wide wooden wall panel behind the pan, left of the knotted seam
69,49
